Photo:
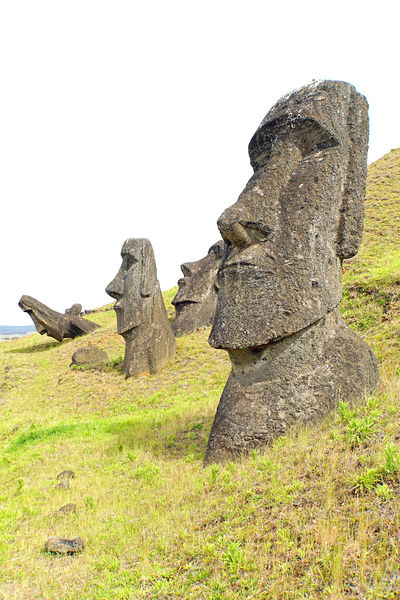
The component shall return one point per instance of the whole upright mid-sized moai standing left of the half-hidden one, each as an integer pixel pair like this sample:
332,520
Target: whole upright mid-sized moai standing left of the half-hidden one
141,316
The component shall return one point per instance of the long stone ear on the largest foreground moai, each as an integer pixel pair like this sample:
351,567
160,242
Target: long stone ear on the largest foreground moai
351,222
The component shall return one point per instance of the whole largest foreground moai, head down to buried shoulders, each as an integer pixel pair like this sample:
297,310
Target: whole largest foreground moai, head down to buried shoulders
277,315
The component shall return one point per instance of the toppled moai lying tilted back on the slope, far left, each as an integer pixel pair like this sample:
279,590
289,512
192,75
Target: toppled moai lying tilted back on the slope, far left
55,324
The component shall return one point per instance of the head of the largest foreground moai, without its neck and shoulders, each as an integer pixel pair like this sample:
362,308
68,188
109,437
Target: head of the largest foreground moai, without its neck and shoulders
298,217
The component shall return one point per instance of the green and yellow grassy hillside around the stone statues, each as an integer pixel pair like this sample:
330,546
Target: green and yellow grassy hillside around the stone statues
314,516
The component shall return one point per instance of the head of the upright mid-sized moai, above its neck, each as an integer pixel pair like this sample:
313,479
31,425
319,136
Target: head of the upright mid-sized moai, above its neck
134,285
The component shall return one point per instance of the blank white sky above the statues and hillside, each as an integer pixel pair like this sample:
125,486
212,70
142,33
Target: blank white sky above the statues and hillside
132,118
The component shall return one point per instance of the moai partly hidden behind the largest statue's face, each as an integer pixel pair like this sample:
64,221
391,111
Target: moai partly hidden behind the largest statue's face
196,298
